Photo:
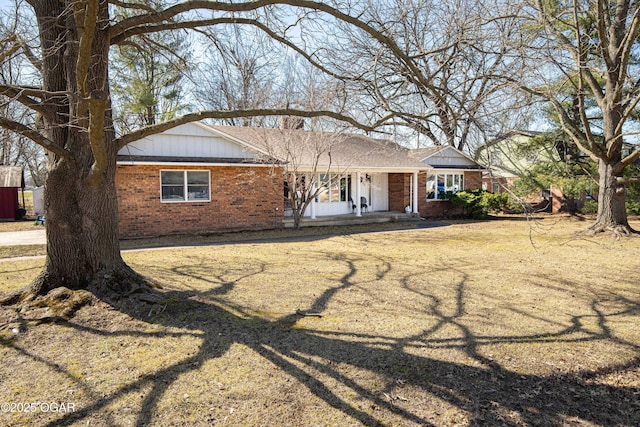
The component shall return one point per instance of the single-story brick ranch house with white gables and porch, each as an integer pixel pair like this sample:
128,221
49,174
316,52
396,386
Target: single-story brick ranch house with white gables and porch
201,178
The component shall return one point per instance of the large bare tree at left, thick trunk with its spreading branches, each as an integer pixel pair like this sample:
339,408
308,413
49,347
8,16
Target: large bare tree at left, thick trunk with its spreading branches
72,96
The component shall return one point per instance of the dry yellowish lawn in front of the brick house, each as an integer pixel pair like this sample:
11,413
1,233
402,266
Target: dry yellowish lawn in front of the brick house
487,323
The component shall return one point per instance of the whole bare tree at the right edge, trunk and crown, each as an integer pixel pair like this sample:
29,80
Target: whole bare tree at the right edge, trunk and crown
585,55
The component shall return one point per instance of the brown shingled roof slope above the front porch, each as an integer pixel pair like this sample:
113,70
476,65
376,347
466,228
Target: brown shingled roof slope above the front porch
340,150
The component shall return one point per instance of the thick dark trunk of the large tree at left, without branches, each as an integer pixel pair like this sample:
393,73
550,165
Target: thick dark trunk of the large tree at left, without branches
83,251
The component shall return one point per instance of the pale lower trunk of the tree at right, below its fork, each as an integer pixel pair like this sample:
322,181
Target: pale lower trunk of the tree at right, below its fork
612,213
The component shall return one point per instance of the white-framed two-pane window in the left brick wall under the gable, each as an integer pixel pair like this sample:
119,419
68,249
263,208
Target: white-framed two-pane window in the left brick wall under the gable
184,186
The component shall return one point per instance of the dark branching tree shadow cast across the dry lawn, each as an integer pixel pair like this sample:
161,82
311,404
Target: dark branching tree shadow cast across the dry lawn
489,393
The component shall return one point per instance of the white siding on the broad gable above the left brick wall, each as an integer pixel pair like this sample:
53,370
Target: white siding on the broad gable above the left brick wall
187,141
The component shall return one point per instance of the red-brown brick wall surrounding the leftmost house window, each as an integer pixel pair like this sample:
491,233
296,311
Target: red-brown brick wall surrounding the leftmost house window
242,198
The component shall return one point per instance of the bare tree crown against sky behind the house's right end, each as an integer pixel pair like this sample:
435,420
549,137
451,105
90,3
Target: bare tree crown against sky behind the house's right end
435,67
